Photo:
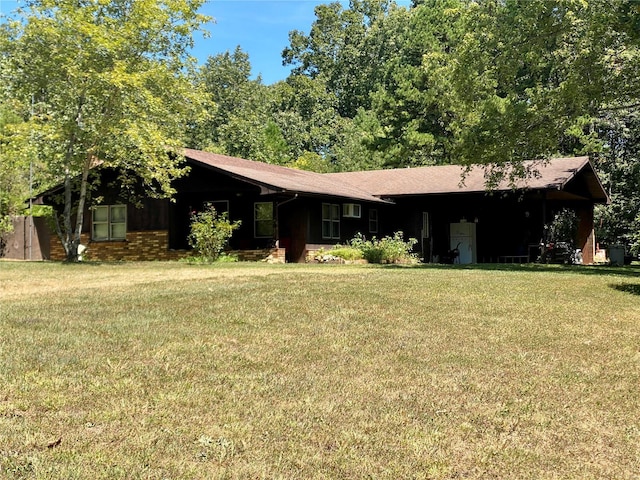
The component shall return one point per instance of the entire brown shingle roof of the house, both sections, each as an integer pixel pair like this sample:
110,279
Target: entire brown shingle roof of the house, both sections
373,185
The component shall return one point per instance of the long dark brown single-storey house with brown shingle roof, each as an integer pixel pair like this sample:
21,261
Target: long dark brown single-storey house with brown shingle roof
426,203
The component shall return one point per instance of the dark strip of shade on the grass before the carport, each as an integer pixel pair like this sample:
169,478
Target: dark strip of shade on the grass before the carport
632,271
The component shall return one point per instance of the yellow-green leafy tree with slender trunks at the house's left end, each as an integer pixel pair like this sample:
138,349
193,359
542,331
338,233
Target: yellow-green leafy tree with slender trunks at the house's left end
111,84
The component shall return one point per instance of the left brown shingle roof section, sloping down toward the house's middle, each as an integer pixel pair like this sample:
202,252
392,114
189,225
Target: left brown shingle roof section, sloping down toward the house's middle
280,179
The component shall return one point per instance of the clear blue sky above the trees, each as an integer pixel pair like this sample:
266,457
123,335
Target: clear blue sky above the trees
260,27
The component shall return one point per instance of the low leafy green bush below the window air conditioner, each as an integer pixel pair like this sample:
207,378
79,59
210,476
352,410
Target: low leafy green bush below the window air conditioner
385,250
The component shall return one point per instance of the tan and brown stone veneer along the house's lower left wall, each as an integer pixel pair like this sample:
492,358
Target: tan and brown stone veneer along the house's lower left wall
149,246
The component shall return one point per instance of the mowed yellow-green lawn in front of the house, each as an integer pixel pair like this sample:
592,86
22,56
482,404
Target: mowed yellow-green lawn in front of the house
242,371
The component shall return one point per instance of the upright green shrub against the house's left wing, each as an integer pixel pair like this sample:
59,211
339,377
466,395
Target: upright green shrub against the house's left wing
210,233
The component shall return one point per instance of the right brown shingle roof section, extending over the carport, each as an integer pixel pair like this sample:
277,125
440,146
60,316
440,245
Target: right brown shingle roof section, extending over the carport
553,174
